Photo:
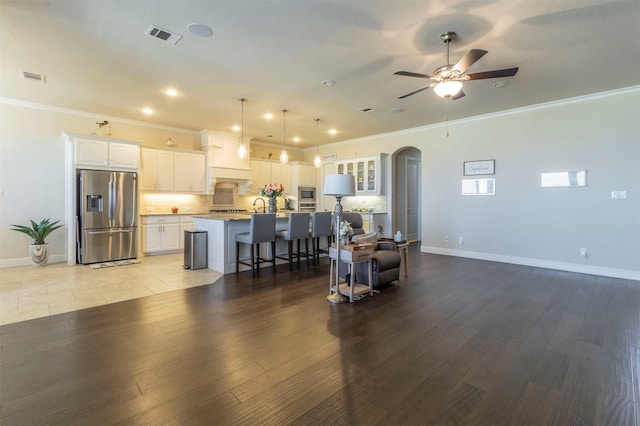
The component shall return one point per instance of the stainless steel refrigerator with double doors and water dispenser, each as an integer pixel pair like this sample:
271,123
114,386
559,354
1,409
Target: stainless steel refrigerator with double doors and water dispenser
107,216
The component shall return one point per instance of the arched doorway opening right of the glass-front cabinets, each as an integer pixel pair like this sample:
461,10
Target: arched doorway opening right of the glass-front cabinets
407,179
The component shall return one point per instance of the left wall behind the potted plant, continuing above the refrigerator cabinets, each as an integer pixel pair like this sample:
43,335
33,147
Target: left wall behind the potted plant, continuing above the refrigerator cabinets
32,167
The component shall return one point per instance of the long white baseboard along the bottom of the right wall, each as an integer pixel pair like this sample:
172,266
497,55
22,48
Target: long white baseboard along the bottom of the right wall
539,263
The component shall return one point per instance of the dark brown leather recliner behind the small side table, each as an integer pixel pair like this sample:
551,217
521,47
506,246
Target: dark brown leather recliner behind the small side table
385,261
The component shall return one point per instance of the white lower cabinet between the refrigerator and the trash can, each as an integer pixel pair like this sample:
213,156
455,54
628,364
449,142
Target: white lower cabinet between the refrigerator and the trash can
164,234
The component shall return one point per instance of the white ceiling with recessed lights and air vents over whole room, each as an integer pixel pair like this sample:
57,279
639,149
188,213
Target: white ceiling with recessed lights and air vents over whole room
276,54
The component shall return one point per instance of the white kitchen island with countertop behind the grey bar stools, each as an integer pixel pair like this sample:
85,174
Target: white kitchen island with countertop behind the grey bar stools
222,229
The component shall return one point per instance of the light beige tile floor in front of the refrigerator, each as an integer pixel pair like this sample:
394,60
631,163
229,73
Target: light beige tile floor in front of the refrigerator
28,292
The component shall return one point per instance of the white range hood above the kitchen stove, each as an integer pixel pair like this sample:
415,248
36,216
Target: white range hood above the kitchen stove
223,164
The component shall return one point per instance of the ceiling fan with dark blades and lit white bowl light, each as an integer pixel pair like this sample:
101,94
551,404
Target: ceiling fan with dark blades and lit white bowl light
448,78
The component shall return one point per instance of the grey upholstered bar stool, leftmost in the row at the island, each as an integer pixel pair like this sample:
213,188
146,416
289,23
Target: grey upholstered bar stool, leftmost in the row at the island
262,230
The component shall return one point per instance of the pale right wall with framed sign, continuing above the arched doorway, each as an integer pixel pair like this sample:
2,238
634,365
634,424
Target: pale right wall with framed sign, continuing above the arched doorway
524,223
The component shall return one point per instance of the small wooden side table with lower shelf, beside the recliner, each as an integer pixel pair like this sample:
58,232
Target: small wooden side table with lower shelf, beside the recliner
350,256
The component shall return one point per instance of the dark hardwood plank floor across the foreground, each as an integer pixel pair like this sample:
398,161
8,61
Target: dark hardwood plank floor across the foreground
459,341
